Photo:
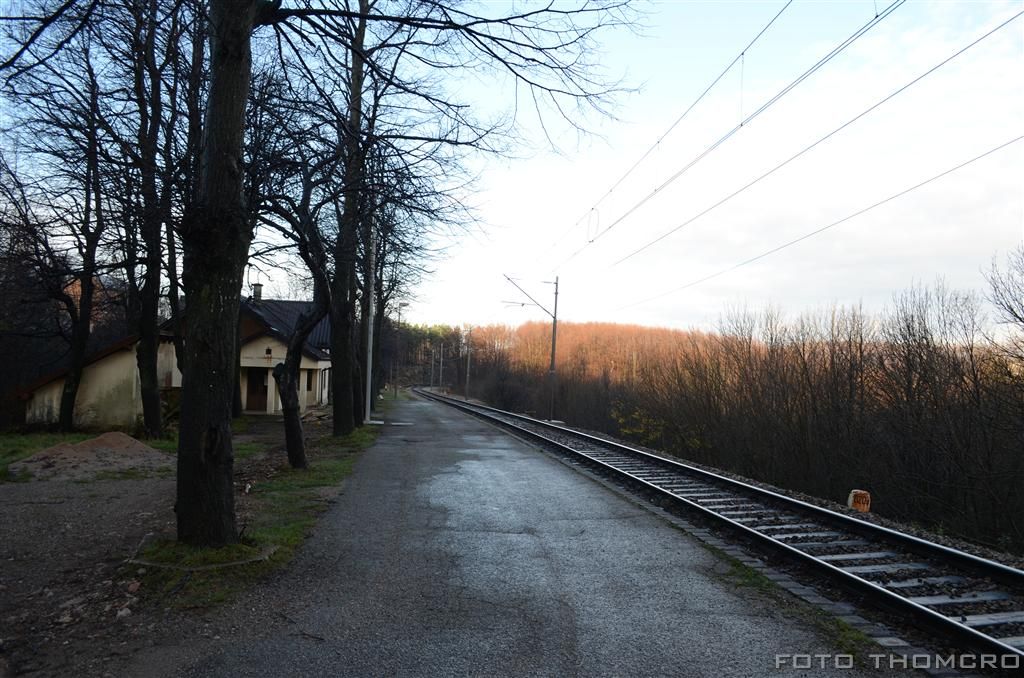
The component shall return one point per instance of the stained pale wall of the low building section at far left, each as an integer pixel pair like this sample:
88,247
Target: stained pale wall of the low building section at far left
108,397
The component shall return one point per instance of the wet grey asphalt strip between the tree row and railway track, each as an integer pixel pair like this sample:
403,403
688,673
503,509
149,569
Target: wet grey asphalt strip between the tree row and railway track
457,550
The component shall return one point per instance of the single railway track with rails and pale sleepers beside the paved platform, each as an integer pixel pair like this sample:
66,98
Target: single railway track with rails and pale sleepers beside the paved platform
975,603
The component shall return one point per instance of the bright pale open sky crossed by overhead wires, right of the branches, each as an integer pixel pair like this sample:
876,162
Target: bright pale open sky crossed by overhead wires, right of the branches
549,211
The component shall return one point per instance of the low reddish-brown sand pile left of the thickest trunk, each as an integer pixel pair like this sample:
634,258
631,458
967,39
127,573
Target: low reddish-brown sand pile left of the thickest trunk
110,455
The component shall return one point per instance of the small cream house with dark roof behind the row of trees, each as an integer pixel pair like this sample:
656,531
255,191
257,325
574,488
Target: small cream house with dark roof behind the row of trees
110,395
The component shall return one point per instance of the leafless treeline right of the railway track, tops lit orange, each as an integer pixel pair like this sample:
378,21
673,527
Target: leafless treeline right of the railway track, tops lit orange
918,405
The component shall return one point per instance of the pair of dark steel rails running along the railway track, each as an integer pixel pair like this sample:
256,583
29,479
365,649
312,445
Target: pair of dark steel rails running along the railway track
935,621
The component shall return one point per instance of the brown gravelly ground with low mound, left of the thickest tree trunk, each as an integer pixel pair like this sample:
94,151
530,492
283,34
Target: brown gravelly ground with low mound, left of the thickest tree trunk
69,605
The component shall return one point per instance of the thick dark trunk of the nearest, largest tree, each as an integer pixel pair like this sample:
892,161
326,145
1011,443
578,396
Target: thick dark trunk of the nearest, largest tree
216,236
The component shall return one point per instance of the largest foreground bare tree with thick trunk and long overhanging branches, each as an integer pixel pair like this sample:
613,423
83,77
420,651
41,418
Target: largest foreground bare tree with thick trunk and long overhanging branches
544,49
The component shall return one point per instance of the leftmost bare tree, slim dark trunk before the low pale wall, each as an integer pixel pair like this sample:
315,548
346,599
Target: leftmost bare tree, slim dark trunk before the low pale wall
61,222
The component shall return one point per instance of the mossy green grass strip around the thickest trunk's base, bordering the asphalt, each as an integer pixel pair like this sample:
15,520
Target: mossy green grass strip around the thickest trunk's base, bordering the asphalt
284,512
